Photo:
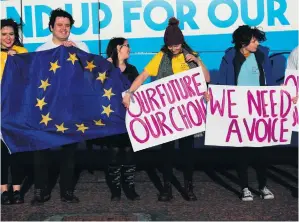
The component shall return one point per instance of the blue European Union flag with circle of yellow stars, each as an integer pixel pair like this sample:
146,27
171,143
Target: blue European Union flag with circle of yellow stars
60,96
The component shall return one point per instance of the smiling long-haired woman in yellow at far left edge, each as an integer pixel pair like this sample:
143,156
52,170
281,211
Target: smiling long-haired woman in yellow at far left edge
10,45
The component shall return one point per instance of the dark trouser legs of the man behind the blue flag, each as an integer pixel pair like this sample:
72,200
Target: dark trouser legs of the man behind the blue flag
67,167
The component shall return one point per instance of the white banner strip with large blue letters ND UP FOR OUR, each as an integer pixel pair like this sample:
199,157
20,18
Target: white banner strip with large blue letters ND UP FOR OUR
140,18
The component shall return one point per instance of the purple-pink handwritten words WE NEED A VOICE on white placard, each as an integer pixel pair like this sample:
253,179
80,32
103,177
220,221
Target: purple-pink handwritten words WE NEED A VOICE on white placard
271,116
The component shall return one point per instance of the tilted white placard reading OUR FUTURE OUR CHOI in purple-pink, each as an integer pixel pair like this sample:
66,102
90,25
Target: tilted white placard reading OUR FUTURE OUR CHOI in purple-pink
167,109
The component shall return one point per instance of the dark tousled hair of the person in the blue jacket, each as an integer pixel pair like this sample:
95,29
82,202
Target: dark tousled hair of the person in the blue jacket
243,35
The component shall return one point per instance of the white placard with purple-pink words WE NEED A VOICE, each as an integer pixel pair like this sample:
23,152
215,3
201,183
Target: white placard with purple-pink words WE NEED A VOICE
248,116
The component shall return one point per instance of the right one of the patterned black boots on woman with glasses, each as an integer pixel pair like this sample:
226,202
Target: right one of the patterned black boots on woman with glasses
128,175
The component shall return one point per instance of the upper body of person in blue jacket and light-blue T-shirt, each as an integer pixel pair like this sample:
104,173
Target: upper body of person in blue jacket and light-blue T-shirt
247,54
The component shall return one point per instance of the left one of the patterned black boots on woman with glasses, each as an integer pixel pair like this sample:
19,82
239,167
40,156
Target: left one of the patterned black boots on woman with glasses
114,176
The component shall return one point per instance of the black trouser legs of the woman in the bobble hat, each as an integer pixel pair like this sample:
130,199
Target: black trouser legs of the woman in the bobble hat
186,146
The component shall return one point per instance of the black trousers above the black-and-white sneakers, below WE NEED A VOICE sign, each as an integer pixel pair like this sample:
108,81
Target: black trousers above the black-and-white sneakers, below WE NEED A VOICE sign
257,156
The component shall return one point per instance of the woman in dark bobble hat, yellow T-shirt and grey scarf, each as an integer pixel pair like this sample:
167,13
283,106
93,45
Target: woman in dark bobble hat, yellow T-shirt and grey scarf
175,57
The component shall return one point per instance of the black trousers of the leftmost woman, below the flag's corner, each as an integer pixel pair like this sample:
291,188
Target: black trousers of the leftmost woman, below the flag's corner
15,162
